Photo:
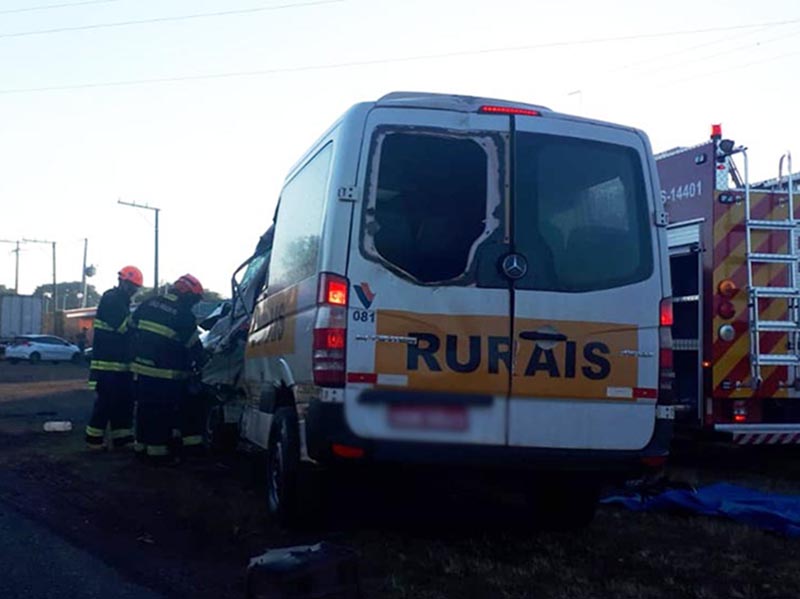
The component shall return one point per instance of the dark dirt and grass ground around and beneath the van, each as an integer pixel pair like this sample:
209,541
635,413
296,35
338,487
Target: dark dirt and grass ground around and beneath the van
190,530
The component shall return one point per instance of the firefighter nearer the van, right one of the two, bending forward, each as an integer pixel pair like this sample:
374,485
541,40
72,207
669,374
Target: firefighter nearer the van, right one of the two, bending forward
166,348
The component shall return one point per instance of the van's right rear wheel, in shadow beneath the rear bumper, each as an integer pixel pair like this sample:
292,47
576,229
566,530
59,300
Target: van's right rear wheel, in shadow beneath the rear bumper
564,505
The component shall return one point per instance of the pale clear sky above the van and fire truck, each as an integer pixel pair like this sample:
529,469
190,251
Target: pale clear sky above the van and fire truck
200,107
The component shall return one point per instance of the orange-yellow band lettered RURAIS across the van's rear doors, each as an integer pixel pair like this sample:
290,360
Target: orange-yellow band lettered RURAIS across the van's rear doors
473,354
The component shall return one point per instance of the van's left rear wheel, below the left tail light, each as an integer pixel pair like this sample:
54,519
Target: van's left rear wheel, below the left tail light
283,463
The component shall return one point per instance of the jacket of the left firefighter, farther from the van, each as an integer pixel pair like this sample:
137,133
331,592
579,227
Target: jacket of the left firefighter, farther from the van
112,335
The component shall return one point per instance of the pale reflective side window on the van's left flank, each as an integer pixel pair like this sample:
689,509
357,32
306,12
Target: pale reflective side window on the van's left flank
295,248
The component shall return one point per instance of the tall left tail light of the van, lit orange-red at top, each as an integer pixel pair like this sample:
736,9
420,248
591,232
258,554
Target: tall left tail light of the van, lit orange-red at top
330,331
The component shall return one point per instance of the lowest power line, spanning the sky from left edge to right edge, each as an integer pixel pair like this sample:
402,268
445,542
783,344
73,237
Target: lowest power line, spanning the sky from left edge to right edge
379,61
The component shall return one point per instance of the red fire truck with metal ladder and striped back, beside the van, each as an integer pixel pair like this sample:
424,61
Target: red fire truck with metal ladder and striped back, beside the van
734,260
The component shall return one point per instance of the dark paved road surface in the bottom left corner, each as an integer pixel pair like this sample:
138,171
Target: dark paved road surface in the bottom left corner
34,562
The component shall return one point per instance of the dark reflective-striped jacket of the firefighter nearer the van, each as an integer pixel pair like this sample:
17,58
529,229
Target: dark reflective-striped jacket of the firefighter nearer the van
166,344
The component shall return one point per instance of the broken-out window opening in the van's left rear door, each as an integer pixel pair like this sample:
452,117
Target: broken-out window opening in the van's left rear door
427,204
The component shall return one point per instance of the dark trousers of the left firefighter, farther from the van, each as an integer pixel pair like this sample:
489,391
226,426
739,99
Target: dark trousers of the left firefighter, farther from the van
114,406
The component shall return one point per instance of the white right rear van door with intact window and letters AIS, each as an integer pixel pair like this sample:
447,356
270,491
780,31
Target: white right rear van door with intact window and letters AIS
586,287
